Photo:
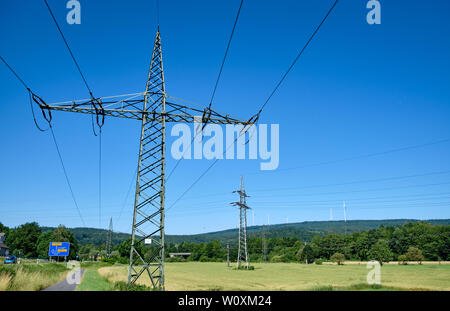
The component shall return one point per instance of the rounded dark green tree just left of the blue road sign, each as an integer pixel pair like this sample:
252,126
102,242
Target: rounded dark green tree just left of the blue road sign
24,238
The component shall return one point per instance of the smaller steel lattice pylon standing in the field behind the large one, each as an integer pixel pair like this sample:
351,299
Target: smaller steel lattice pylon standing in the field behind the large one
242,247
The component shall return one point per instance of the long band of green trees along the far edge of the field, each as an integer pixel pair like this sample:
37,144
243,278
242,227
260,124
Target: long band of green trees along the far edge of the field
412,241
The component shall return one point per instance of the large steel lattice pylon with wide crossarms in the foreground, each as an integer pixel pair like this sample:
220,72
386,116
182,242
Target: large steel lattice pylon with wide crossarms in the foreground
154,111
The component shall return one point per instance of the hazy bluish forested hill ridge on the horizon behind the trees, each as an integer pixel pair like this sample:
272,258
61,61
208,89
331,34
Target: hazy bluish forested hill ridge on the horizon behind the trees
302,230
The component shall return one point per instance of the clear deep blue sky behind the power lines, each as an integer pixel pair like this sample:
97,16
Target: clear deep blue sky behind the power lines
357,90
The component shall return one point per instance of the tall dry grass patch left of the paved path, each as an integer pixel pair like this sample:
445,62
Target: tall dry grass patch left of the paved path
31,277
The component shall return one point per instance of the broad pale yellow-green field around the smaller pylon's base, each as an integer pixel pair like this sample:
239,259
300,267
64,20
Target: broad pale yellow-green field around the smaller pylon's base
291,276
